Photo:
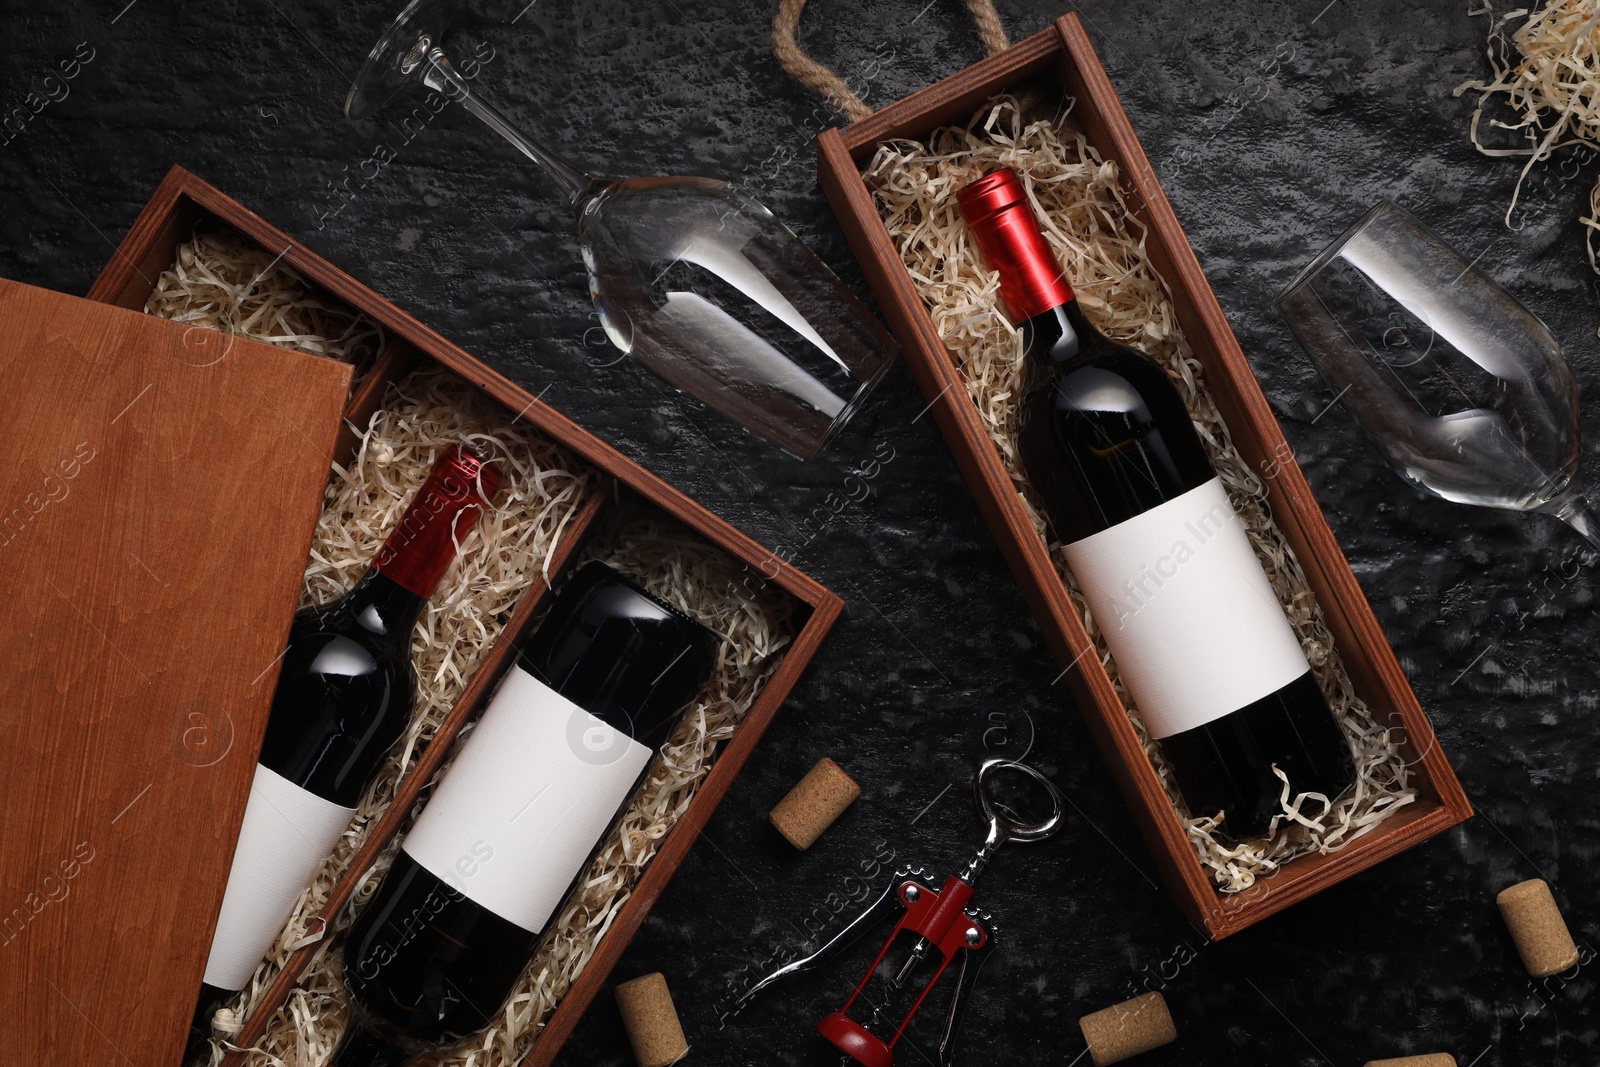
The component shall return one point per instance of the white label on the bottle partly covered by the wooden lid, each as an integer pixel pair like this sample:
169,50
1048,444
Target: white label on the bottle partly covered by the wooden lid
287,833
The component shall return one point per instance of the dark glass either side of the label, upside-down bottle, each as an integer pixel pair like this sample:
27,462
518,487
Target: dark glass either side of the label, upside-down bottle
425,964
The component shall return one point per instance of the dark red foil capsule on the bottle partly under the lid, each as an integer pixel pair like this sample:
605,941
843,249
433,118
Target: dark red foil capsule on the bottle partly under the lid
439,519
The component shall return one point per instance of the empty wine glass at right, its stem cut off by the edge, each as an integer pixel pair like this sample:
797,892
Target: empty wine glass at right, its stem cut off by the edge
1460,386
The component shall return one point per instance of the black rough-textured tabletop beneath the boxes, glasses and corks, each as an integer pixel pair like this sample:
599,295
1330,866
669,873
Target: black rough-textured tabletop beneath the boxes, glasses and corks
1273,127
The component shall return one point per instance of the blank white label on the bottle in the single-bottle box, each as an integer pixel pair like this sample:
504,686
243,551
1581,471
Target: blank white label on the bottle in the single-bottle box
1188,612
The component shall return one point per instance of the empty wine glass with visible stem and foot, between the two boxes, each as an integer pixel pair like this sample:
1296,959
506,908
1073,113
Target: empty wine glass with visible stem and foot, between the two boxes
689,274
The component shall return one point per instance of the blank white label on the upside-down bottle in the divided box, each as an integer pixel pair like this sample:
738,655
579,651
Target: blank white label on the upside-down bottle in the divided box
534,789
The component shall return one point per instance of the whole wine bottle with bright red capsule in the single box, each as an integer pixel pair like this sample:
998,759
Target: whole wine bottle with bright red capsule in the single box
1156,546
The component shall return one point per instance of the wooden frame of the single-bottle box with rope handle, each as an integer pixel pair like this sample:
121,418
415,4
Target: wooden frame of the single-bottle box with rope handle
1063,60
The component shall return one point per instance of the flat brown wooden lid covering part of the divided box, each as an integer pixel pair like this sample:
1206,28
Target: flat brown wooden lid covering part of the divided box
156,508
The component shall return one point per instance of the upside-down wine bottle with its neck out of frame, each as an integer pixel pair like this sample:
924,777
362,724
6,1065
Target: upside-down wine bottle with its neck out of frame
559,751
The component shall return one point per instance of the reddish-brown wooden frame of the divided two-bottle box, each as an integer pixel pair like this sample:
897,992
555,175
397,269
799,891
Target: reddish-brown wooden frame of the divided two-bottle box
183,204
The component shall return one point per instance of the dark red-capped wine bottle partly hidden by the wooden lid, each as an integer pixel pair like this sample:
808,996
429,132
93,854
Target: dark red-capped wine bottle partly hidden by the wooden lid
346,692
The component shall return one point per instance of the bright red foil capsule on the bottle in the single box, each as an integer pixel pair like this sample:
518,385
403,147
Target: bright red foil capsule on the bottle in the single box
998,212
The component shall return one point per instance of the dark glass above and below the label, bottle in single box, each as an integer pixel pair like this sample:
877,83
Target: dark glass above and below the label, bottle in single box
1105,438
